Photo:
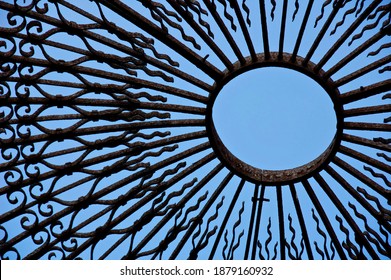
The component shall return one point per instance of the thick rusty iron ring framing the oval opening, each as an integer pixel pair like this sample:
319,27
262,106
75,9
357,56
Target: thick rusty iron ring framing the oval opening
275,177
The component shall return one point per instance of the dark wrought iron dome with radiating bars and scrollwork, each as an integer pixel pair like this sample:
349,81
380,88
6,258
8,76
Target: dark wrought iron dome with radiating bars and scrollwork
109,148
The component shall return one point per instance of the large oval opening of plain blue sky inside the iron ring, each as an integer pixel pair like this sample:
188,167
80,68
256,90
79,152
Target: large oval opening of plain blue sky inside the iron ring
274,118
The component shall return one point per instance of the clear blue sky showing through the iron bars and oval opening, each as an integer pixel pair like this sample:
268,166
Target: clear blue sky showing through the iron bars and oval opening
270,118
